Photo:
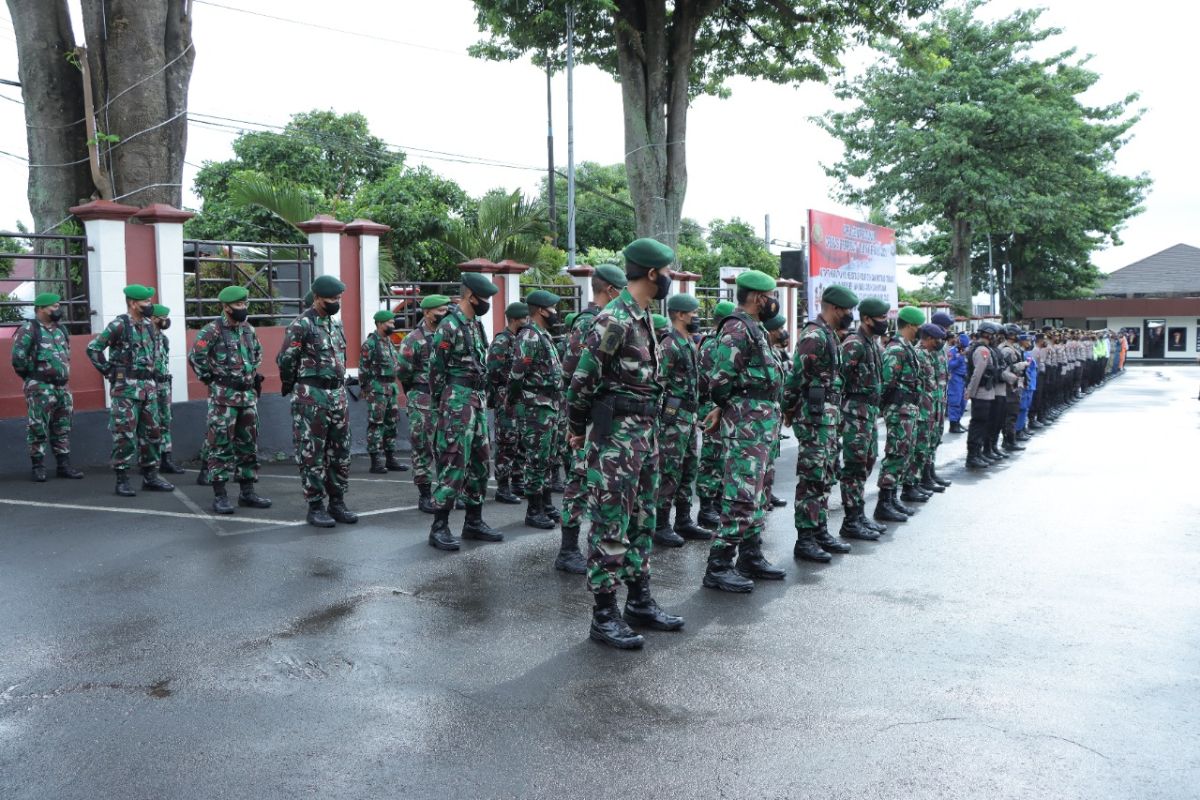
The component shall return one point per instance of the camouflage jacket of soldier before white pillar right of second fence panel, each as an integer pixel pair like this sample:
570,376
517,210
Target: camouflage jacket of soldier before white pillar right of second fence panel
315,350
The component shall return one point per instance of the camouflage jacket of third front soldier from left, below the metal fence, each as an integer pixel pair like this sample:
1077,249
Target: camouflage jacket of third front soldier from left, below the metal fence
226,359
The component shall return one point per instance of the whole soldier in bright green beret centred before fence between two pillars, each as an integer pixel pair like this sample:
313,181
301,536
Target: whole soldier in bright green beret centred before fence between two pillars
226,359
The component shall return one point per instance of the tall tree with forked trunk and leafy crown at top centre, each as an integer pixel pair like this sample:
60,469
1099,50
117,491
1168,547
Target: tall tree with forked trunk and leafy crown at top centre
665,55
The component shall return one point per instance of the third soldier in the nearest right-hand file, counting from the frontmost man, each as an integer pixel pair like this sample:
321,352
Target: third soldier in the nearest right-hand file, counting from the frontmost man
813,404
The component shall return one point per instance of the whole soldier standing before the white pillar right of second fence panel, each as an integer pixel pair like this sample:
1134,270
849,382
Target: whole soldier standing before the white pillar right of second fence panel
313,363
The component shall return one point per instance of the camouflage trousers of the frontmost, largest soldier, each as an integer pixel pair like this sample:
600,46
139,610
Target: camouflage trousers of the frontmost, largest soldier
622,488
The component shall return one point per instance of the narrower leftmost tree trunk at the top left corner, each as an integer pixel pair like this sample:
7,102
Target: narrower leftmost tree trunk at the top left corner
52,88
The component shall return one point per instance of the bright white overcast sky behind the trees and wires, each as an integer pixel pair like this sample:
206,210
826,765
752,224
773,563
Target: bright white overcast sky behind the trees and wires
753,155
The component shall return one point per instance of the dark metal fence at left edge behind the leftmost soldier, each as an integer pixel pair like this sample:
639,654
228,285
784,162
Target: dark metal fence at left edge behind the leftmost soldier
35,263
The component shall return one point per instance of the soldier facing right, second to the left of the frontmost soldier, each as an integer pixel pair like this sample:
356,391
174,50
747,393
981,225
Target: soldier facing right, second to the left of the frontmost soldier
533,396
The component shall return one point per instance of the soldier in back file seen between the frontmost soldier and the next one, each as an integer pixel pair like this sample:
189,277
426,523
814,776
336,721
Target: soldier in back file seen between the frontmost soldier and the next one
677,424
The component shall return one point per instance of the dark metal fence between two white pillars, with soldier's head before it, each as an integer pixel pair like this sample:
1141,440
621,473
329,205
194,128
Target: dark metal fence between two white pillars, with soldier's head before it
277,275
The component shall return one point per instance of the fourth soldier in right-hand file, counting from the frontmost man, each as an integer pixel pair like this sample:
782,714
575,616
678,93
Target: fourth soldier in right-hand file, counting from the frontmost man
862,372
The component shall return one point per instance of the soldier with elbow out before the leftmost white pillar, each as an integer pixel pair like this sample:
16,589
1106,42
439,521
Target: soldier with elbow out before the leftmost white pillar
130,370
